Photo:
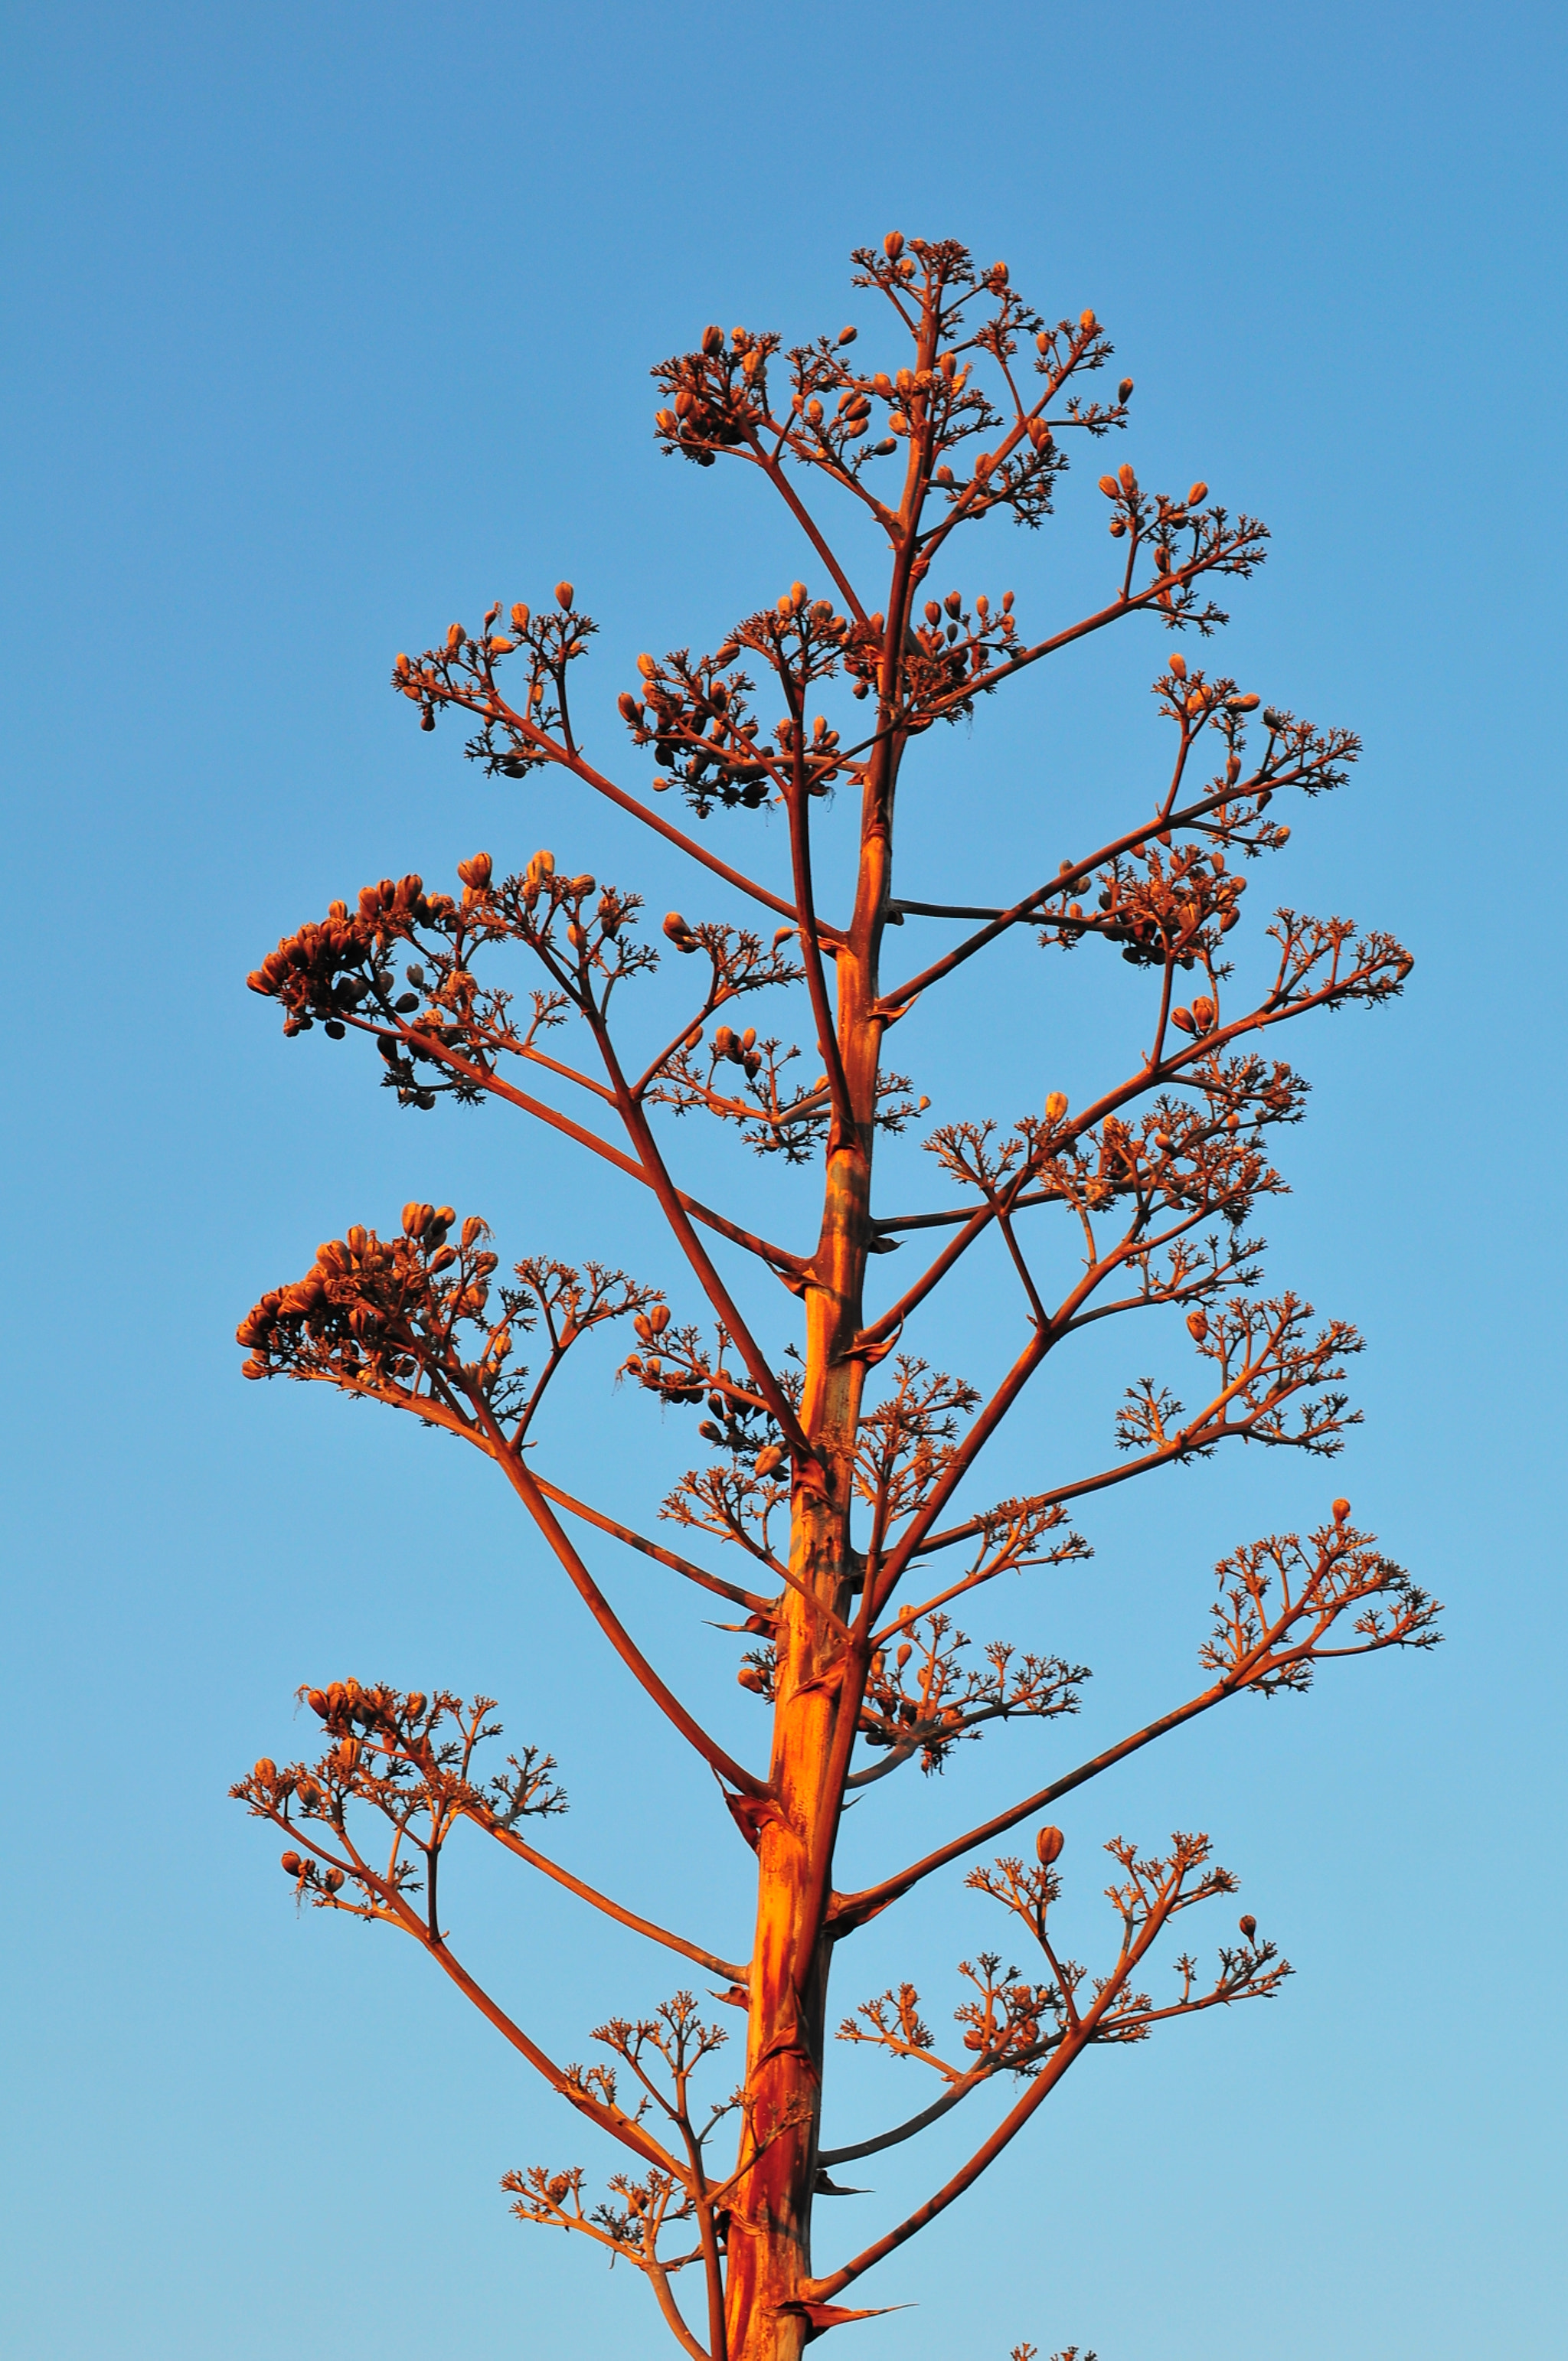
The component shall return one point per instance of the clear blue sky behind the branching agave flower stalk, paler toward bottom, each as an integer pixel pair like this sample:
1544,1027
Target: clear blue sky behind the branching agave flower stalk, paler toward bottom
332,325
